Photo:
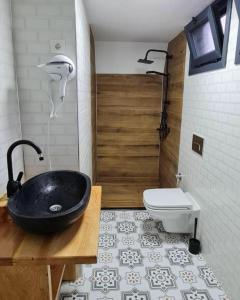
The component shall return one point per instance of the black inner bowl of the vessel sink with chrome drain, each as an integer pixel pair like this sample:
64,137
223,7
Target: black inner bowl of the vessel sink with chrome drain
50,194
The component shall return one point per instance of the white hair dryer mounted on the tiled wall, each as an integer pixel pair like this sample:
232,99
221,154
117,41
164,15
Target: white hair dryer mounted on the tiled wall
59,68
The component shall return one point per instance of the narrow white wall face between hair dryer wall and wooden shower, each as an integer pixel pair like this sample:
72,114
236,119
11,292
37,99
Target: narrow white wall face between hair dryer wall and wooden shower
84,89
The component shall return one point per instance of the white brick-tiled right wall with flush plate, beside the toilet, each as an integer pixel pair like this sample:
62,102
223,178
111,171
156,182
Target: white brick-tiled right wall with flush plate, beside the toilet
212,109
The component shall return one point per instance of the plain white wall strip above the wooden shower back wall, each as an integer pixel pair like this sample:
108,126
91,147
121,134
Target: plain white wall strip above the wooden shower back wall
121,57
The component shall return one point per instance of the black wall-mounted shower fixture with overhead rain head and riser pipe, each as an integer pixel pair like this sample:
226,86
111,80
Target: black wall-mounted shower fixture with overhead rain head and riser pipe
163,129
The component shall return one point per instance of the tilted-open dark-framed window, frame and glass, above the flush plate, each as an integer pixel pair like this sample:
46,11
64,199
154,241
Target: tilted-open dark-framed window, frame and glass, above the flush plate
207,36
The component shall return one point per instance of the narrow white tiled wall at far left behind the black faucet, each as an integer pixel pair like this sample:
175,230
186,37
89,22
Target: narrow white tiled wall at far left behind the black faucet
10,129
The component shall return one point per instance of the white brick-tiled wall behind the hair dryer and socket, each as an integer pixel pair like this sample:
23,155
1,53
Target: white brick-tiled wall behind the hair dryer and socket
36,23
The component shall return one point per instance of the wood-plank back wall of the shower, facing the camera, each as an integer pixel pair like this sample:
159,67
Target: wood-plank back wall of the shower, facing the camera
127,150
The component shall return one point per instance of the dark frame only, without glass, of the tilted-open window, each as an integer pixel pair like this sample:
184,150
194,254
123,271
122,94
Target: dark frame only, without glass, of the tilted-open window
208,64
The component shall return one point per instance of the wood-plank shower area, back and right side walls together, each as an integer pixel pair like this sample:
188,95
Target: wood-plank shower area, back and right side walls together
138,120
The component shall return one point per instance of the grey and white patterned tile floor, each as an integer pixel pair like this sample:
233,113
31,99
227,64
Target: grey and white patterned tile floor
137,260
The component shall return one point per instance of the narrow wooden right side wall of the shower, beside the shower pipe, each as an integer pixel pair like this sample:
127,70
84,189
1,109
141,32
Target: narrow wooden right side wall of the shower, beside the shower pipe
170,147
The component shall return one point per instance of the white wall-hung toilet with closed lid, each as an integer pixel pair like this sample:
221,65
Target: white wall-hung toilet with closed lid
177,210
